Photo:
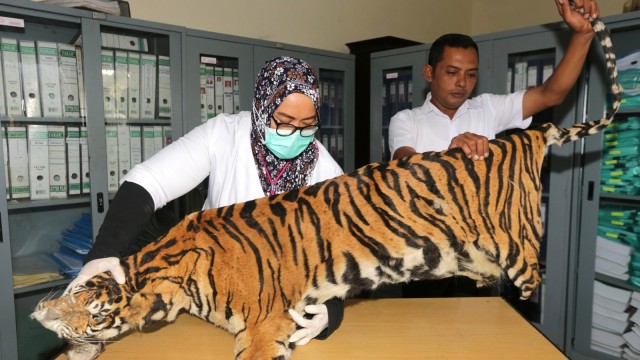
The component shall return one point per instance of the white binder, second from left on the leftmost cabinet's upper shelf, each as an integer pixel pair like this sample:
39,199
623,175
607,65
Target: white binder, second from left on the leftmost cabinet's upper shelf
30,85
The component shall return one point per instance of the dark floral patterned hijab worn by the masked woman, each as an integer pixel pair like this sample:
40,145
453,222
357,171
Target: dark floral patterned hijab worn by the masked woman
277,79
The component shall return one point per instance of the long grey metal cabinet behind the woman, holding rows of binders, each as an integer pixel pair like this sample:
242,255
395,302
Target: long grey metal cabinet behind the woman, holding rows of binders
170,98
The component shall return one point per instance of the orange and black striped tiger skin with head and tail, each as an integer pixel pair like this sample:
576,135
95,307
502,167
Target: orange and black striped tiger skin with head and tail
428,216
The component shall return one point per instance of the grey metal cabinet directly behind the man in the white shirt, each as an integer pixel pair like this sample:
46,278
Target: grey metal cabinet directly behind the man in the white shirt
533,47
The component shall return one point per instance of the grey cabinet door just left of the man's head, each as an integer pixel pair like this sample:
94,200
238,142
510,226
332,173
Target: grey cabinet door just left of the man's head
397,83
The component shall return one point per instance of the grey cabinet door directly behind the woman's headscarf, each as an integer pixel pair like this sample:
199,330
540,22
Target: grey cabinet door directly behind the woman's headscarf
336,79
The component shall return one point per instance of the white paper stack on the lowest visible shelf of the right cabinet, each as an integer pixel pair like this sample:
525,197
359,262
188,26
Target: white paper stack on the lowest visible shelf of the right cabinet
611,313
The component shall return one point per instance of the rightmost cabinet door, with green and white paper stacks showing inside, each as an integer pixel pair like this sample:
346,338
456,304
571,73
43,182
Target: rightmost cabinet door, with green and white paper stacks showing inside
610,211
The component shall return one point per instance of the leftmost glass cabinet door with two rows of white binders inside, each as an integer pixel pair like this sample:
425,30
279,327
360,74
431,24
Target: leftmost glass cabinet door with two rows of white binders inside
40,118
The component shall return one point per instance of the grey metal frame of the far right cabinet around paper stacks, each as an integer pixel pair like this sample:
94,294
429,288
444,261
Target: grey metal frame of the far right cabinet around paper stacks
625,31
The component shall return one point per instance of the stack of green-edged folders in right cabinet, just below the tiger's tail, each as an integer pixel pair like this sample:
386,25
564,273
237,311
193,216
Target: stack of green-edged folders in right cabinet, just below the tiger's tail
621,158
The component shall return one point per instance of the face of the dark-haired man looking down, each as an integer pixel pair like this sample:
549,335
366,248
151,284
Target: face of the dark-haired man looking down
453,78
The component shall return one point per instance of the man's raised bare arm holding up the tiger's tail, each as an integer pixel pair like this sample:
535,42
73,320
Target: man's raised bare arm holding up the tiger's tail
558,85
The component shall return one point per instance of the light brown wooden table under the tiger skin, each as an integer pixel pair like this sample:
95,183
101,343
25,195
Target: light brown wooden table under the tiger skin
434,328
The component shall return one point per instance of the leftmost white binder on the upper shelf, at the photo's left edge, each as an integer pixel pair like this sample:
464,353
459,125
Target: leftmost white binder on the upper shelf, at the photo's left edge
11,72
